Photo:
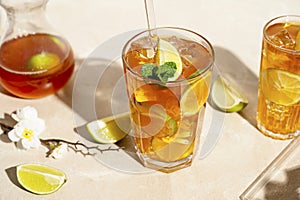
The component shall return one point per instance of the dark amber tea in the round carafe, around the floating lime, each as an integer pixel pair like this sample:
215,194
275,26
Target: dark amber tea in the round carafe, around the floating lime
16,78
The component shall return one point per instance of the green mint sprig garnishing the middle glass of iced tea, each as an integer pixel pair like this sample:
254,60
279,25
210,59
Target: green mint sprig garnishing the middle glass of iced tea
161,73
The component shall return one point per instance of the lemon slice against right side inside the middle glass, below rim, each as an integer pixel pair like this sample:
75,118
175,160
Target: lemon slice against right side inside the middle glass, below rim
195,95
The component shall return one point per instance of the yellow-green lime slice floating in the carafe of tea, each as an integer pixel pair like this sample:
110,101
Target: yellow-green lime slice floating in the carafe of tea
43,61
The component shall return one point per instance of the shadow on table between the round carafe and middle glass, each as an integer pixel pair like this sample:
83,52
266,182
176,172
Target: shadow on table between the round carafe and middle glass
96,90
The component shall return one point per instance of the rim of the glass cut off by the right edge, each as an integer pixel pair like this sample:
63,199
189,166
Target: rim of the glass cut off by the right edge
268,39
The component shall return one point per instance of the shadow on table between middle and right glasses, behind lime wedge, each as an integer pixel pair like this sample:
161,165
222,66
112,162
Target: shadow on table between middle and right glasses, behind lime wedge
241,76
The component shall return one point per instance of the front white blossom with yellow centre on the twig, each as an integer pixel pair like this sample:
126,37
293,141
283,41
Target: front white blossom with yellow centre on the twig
27,132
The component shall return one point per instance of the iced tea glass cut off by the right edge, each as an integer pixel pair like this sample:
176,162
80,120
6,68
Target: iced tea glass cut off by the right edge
278,112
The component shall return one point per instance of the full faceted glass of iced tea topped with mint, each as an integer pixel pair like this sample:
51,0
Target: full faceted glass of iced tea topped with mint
168,74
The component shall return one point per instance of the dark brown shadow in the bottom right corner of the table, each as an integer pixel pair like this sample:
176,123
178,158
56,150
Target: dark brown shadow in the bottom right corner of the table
290,189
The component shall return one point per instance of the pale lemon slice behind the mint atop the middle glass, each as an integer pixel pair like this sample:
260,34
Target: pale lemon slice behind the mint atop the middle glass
166,52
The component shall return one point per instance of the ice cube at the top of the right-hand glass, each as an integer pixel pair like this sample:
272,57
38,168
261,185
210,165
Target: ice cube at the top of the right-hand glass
283,39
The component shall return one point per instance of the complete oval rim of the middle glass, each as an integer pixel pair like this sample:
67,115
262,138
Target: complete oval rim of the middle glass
149,80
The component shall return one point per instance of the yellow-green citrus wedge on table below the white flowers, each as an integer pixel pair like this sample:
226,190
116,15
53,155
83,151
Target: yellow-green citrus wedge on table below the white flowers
40,179
